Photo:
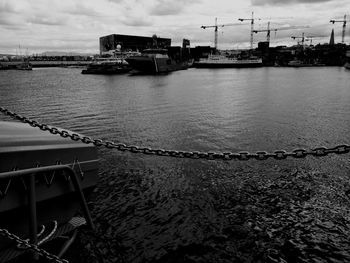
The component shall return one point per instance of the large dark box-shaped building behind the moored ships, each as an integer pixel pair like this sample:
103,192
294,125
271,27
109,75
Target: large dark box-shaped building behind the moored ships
131,43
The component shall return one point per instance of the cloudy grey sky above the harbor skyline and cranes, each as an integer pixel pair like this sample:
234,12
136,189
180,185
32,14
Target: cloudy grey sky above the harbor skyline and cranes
35,26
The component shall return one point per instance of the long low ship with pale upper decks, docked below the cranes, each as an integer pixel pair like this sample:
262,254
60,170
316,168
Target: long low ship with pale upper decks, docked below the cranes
220,61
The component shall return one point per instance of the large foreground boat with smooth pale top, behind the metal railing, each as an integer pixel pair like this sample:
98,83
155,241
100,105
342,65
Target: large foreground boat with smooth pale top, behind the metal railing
44,179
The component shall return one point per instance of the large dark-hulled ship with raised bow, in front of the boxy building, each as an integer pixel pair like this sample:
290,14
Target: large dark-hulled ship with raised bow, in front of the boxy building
154,61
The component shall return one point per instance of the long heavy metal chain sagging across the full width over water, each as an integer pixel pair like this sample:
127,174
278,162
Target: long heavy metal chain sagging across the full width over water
242,156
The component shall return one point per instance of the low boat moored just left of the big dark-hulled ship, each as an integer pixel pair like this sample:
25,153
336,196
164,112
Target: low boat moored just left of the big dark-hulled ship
107,66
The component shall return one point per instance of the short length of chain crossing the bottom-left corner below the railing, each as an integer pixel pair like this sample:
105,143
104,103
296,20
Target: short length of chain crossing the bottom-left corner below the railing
35,248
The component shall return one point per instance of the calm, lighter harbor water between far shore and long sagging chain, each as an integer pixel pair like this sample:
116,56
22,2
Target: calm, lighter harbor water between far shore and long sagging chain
196,109
